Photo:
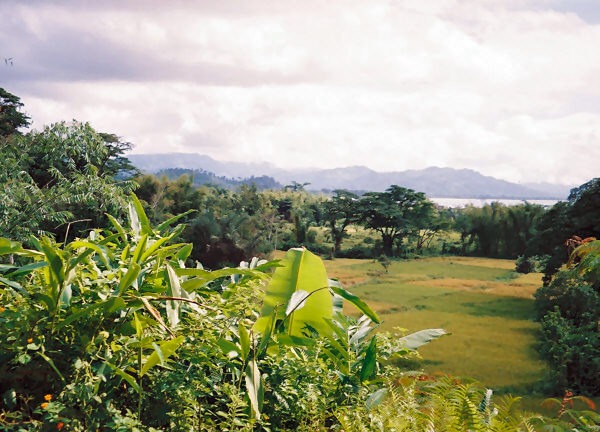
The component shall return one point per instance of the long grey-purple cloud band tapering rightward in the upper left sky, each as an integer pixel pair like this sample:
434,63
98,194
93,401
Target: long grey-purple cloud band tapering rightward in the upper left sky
71,54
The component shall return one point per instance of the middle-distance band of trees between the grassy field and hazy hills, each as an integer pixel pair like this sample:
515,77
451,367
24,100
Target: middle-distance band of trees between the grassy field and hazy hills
399,222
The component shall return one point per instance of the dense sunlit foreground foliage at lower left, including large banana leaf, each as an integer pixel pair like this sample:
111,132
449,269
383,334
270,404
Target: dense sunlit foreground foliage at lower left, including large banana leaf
113,332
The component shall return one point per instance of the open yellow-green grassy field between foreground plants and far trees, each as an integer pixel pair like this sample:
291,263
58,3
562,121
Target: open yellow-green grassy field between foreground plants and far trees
486,306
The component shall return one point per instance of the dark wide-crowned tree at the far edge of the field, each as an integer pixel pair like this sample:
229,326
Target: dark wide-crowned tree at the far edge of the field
394,214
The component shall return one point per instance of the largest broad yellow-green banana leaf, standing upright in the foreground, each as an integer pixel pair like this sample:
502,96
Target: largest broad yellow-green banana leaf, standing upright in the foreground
299,270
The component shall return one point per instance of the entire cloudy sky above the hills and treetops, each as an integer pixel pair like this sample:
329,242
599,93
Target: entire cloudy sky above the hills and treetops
510,88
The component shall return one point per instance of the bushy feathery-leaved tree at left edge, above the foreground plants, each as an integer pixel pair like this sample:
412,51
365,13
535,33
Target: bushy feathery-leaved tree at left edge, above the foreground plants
55,181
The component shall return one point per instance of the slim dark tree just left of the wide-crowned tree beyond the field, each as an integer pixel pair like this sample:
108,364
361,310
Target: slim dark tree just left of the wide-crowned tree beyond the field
339,212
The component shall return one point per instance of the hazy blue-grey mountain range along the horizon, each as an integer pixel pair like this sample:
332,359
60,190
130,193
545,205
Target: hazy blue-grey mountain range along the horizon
434,181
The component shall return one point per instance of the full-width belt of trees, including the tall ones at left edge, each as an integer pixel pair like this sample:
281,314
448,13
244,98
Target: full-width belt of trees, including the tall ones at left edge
63,179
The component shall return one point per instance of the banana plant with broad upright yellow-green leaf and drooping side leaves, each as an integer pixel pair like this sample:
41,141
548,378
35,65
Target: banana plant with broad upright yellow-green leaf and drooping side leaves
301,304
